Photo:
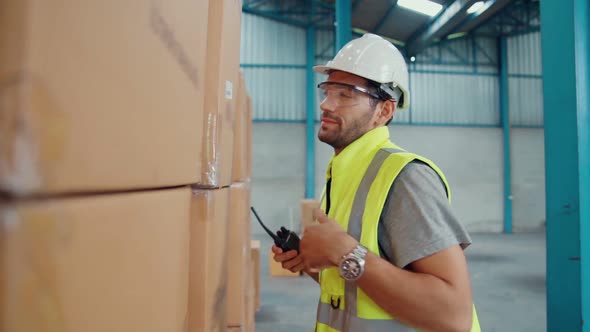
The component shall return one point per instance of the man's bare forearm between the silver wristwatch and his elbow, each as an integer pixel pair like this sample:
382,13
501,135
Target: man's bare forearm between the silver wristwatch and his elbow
418,299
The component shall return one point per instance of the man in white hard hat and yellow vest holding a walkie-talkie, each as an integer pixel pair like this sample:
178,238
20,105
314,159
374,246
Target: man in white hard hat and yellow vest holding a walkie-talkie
388,249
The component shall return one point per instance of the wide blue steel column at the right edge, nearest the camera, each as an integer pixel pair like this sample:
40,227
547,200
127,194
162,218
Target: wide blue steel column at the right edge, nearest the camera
564,33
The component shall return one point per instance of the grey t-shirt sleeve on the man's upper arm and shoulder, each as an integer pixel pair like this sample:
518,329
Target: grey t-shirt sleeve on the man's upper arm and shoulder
417,220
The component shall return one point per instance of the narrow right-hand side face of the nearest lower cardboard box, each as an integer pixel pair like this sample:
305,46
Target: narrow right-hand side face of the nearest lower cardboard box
208,260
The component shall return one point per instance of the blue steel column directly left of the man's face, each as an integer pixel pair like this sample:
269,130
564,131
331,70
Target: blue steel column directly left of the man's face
310,111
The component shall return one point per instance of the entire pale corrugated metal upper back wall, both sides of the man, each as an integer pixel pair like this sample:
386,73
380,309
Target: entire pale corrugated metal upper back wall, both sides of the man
454,83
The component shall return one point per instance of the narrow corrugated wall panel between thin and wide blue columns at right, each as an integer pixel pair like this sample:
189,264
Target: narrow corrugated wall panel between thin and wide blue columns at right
525,81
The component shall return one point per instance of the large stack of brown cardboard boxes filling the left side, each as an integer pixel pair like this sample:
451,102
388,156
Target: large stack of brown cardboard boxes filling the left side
124,193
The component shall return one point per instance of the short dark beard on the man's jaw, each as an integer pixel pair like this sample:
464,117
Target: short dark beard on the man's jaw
338,137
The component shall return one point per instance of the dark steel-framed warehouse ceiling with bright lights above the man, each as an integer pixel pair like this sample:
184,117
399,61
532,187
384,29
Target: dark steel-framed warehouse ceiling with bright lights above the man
410,30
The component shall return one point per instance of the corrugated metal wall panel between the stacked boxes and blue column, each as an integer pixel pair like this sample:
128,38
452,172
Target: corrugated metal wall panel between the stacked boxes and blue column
273,63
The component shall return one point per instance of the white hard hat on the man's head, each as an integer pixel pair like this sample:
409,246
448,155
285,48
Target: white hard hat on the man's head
375,59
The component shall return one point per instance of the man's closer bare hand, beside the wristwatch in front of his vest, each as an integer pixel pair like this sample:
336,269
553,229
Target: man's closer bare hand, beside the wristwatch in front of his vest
324,245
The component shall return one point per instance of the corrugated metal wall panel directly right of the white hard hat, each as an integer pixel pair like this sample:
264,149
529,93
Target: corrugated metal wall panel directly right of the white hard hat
455,83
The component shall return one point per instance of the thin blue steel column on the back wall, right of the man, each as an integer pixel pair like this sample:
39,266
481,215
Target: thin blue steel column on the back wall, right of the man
505,119
